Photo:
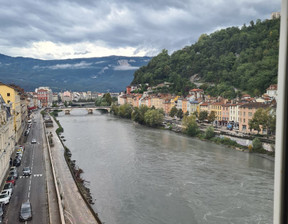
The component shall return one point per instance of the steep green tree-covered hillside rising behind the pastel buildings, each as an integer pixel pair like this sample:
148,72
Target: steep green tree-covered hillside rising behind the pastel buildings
228,61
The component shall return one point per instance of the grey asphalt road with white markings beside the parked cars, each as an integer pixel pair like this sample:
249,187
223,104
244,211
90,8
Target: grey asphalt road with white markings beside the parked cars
31,188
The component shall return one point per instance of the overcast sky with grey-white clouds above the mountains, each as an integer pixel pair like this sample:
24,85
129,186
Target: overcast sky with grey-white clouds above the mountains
62,29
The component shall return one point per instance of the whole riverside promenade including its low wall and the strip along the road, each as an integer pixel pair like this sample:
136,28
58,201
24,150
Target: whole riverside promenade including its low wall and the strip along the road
72,207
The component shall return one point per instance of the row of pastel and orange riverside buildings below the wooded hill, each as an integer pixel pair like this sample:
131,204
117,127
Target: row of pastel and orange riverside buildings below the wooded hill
238,111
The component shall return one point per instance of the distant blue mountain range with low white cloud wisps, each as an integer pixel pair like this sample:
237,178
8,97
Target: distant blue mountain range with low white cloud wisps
103,74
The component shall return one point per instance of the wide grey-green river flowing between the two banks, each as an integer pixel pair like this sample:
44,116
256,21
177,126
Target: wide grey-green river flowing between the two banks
141,175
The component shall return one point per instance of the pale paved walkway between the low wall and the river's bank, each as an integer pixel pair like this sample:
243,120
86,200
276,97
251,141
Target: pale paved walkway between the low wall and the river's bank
76,210
